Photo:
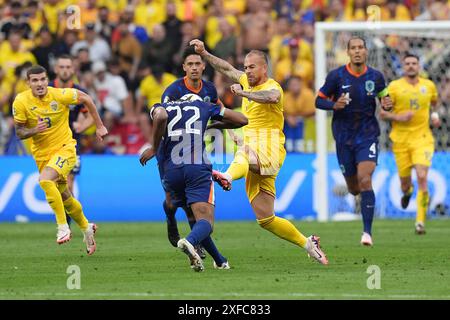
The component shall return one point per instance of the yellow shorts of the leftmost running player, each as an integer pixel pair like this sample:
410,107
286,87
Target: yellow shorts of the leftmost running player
62,161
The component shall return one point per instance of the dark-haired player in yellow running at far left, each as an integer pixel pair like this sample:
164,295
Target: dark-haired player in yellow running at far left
42,113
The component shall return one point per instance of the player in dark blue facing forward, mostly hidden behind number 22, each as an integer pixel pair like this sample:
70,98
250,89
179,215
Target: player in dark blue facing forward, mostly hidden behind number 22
194,66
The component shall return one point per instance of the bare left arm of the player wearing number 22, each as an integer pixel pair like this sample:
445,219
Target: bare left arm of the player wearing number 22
159,116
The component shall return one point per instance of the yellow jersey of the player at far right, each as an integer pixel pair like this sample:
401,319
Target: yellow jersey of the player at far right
416,98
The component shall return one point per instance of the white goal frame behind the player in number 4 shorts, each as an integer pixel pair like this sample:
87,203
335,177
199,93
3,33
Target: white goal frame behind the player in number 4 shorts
322,67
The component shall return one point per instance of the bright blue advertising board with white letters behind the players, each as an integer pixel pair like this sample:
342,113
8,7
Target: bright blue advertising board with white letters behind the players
117,188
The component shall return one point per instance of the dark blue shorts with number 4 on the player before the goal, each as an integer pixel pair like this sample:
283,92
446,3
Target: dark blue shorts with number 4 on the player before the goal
350,155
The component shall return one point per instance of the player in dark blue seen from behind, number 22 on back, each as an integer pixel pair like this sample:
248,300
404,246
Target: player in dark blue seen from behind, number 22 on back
178,130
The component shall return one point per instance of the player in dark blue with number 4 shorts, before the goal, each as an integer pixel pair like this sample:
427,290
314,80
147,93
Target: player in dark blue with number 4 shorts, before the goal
350,91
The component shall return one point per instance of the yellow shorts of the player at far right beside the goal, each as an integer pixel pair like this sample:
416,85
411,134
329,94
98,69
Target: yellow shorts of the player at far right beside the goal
408,154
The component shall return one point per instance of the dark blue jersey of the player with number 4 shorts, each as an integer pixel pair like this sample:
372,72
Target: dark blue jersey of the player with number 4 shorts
355,123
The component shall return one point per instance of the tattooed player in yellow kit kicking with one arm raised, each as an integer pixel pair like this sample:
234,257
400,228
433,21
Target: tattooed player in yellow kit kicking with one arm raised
262,152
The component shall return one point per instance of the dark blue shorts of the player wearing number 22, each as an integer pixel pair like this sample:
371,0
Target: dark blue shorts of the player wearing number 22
189,184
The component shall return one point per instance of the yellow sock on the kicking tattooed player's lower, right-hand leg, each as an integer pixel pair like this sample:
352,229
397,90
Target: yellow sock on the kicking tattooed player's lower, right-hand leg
284,229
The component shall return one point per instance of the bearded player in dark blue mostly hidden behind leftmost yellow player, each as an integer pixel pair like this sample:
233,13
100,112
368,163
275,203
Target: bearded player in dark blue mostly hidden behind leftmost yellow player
79,118
